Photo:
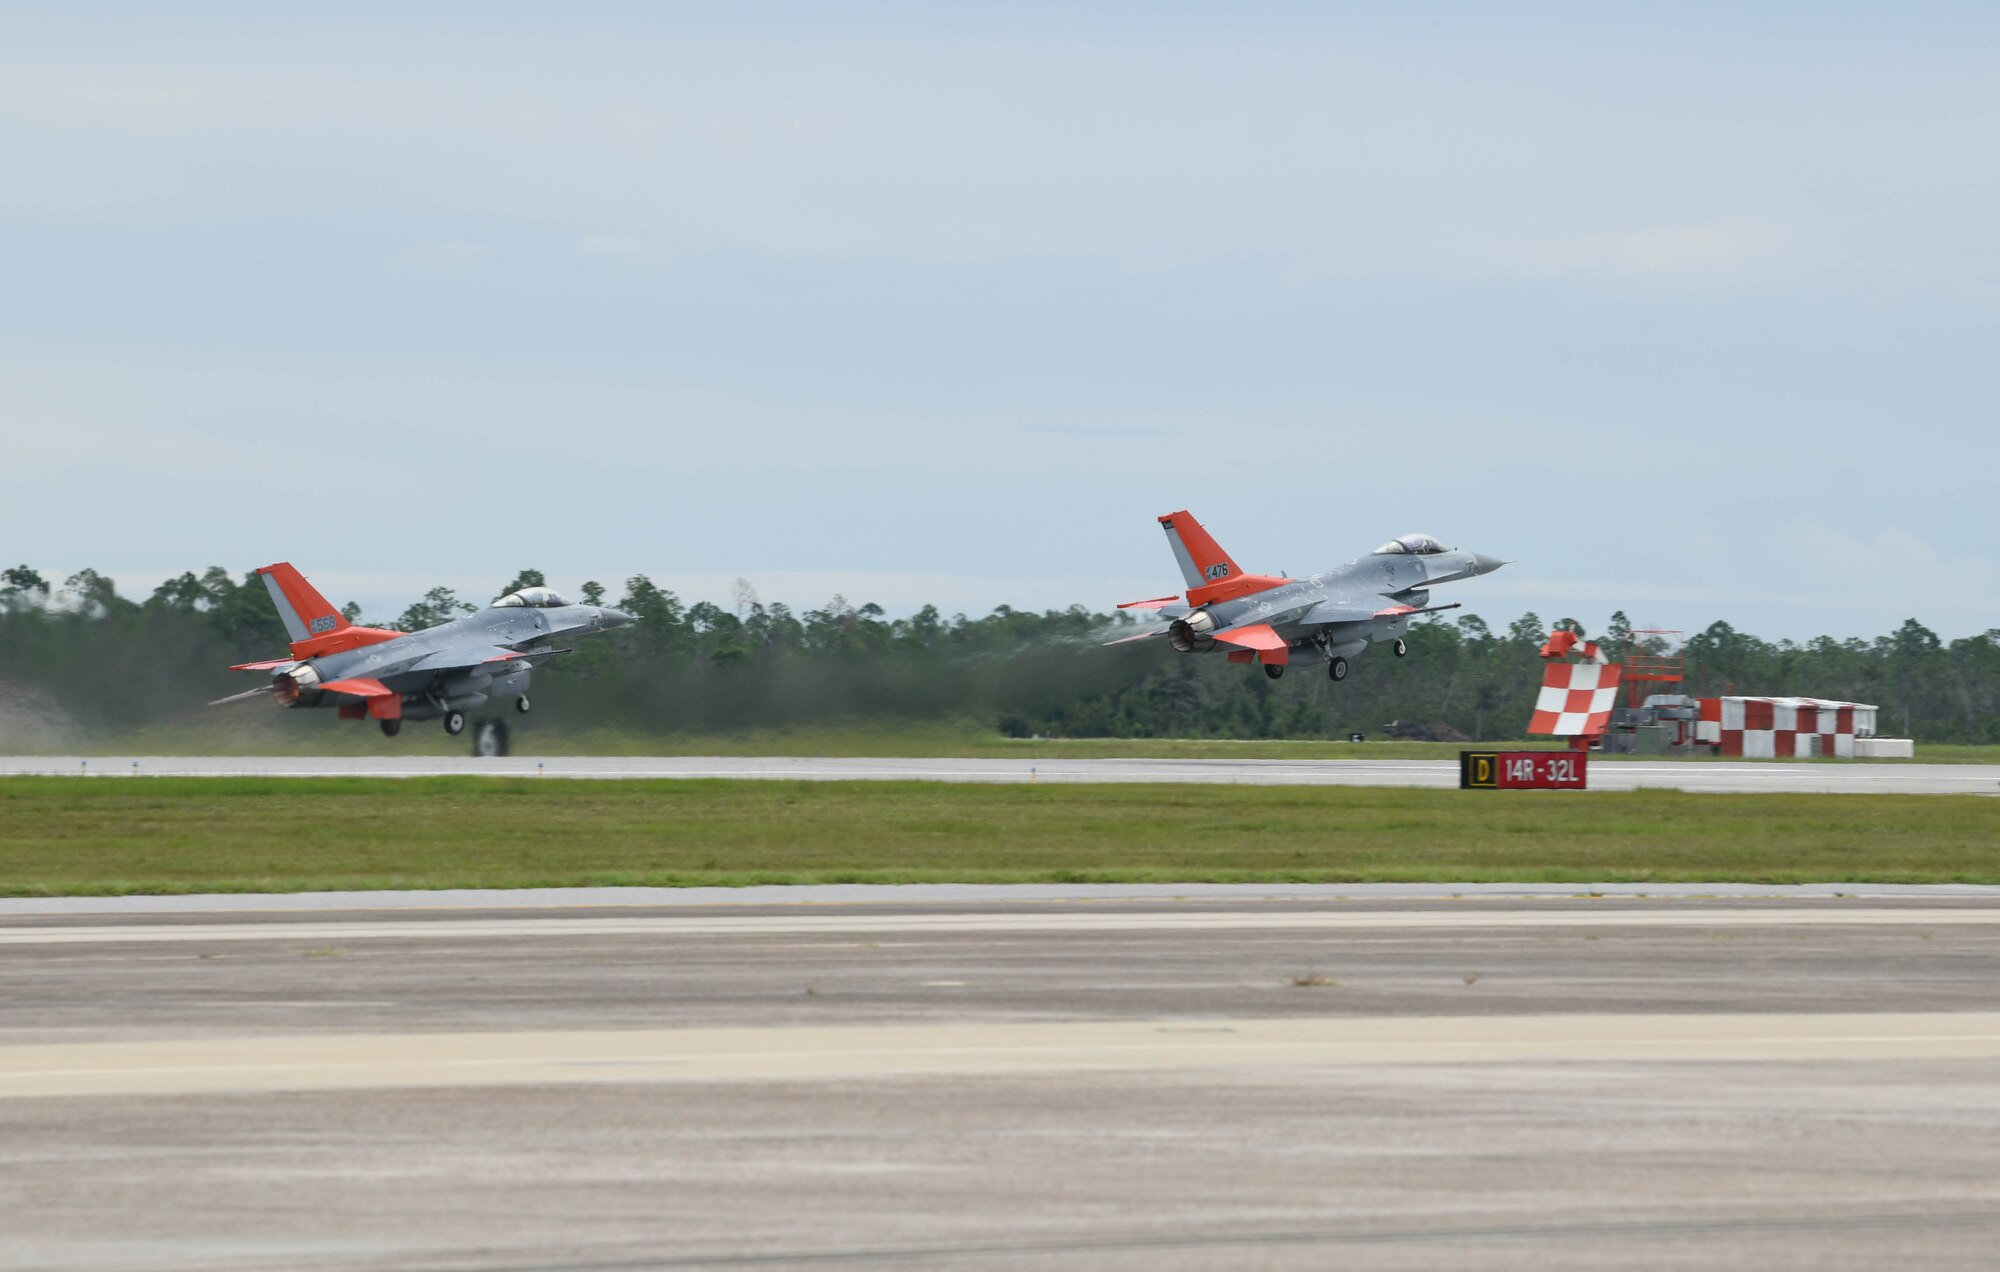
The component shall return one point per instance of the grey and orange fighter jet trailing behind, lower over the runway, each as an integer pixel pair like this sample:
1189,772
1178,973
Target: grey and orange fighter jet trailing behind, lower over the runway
433,675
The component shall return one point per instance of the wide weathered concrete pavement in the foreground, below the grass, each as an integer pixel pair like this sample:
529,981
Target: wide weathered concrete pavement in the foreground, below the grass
1003,1079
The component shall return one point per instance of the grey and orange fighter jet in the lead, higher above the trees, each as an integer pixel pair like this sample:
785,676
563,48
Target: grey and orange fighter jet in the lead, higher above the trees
1323,619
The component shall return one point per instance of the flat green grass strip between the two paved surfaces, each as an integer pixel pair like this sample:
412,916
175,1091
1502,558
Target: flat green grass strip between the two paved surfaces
225,835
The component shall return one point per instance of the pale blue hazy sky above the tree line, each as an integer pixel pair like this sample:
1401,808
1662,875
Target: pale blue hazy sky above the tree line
1685,311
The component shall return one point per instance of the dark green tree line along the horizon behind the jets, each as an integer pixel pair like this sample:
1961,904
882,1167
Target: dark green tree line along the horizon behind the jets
113,661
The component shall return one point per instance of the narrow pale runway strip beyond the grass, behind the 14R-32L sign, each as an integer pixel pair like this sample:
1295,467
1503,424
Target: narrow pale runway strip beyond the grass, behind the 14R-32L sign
1717,777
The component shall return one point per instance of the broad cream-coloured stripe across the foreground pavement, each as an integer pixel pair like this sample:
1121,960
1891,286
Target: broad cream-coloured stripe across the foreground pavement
849,1053
